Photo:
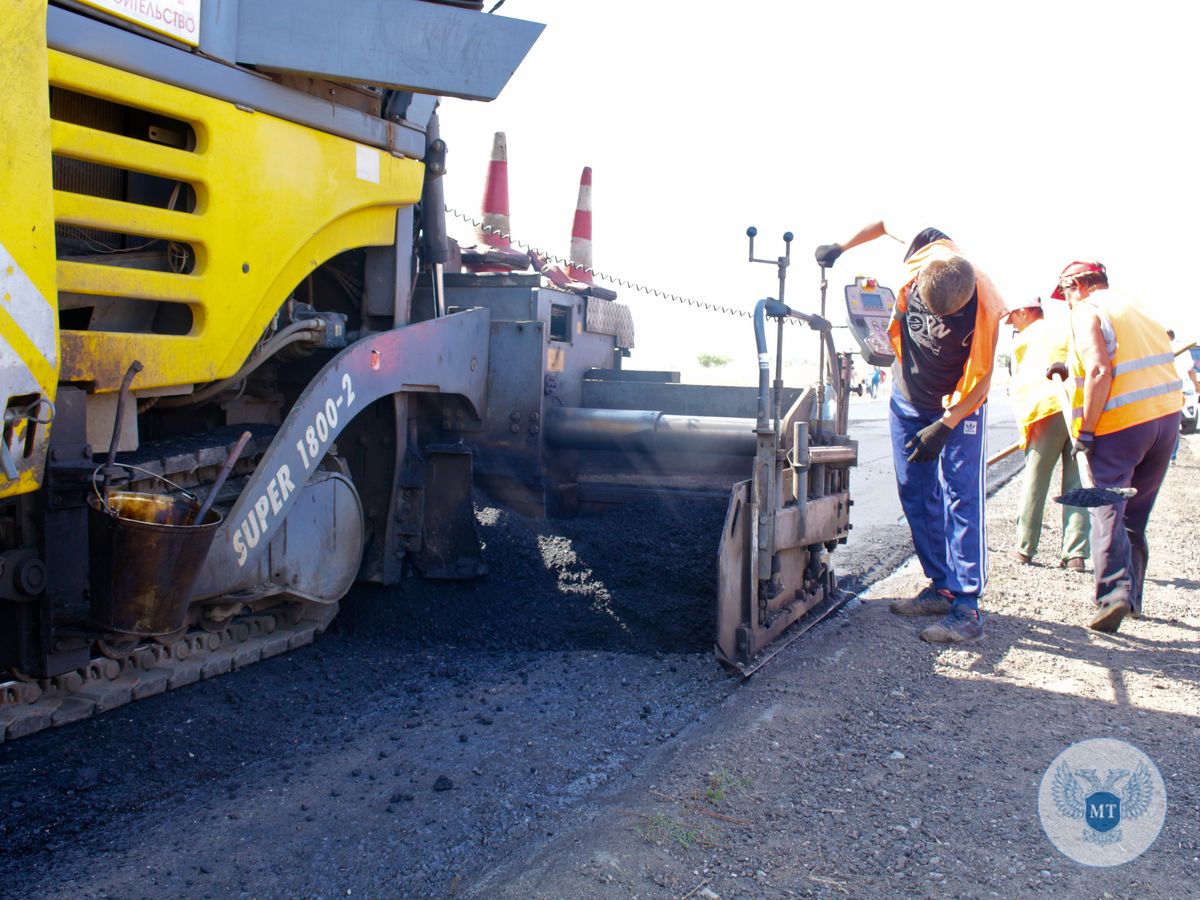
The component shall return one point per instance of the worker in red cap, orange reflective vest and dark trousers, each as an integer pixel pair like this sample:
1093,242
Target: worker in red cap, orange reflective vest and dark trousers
1127,404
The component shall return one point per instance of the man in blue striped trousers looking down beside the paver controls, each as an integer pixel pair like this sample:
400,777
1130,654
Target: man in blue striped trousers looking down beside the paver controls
944,331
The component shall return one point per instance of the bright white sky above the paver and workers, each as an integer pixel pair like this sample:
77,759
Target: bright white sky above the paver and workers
1033,133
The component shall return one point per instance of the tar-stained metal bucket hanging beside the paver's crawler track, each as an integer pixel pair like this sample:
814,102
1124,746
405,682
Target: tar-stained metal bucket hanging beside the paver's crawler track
145,560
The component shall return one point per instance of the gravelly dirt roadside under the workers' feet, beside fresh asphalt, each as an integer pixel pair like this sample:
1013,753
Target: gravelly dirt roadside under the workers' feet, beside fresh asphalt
863,763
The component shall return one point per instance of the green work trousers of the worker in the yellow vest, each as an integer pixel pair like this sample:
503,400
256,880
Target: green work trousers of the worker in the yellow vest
1049,445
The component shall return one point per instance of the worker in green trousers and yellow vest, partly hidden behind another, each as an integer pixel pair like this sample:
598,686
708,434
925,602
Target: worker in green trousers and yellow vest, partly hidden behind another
1045,435
